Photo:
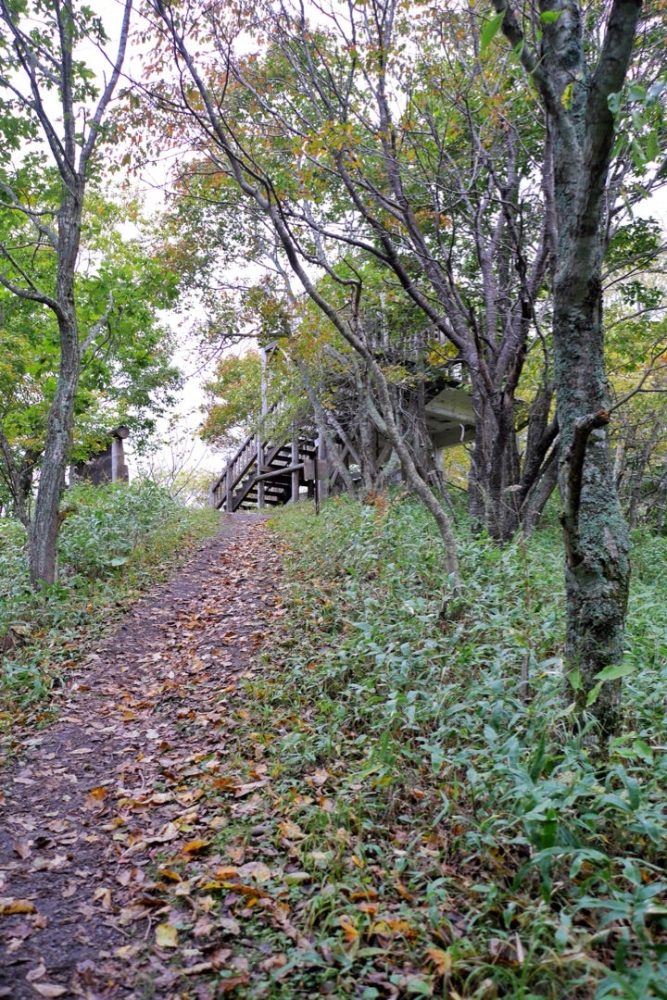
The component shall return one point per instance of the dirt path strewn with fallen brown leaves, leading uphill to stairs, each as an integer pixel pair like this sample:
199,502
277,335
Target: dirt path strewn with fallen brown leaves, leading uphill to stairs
113,811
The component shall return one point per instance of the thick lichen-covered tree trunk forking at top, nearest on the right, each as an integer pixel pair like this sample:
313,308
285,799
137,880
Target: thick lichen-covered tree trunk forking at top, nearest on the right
577,92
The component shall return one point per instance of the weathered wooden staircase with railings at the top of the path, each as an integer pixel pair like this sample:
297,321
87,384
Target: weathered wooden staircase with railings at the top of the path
266,474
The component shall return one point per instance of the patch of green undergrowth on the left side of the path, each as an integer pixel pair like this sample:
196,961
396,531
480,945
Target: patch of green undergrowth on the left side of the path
115,542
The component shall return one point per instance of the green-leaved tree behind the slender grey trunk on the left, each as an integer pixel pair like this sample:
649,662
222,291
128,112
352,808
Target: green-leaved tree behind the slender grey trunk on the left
126,375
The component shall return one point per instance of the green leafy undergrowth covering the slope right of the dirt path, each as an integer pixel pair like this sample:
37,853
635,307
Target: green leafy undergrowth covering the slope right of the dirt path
455,836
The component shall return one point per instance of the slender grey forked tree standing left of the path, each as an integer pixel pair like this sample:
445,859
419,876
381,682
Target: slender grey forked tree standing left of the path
52,100
